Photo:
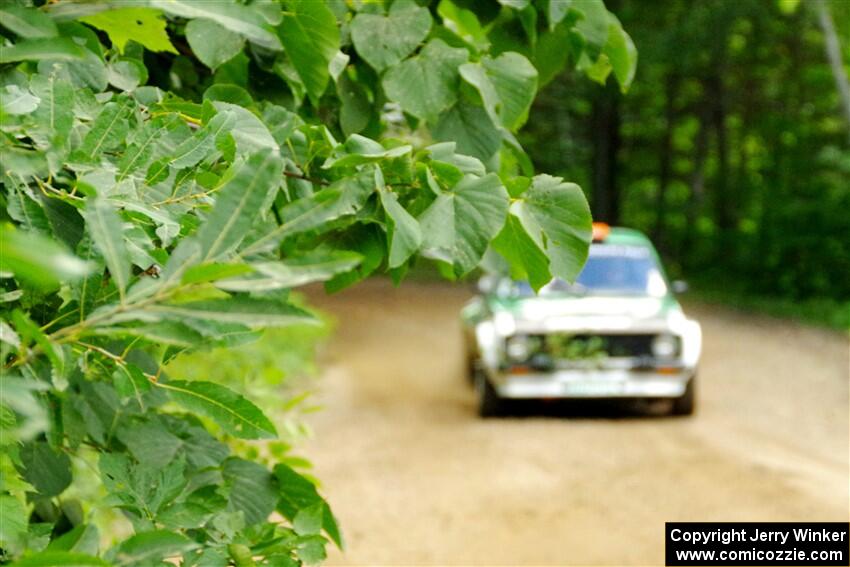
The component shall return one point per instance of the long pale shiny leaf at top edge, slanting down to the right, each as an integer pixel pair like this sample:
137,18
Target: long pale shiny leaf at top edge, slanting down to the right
247,21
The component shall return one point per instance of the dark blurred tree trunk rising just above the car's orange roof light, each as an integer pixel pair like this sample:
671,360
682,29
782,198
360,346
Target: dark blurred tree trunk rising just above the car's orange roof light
605,198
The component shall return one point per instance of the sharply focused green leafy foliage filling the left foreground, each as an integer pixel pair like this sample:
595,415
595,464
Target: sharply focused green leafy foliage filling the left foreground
171,169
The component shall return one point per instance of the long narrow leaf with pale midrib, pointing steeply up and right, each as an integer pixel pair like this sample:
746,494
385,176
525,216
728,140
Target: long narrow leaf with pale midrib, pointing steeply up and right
238,205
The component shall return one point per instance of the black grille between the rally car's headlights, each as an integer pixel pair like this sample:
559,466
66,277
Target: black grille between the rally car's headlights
561,346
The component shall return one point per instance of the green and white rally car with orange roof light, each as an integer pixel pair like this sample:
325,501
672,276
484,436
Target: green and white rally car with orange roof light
616,332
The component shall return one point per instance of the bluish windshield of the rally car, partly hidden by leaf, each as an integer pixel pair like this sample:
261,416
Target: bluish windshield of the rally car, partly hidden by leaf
610,269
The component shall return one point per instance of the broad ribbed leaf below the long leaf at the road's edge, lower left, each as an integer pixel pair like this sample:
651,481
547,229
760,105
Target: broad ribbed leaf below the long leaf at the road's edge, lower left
252,489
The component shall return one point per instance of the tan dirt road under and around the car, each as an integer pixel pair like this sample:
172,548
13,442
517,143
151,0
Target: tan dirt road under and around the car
416,478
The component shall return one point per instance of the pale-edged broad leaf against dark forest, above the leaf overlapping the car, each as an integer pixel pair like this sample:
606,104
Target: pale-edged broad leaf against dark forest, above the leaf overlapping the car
507,86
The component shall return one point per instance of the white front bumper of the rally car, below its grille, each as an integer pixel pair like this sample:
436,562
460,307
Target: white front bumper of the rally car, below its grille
584,383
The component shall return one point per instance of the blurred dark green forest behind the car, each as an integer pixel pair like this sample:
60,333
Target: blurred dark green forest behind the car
731,149
